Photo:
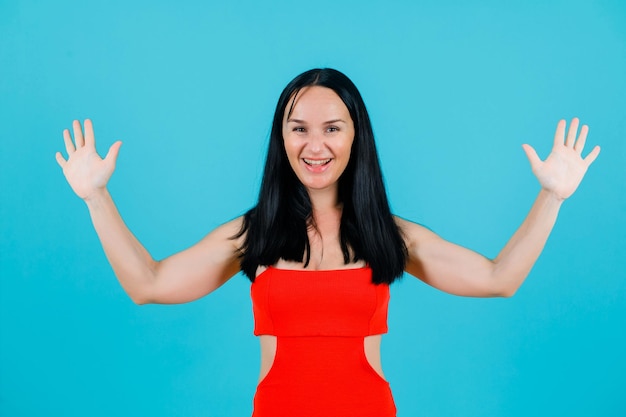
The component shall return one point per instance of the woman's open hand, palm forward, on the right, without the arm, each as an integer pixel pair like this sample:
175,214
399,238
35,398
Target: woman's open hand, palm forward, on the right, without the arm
565,167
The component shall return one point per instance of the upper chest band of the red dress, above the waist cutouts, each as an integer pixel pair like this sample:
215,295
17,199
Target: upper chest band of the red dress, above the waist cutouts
341,302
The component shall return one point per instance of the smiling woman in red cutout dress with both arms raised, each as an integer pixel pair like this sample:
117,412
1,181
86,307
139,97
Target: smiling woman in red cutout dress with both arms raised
321,248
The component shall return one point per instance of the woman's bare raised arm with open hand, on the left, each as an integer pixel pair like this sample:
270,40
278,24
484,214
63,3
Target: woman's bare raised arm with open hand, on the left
180,278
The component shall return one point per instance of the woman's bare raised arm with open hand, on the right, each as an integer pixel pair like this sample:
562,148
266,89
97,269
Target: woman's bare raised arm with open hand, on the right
460,271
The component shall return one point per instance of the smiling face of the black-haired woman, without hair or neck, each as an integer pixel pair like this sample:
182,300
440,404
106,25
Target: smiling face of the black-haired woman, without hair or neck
318,136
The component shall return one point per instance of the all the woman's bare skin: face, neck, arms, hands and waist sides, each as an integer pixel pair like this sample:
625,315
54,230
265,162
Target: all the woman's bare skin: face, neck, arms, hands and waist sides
317,147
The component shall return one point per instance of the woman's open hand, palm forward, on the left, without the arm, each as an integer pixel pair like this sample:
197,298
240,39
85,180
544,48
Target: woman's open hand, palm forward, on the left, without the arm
85,171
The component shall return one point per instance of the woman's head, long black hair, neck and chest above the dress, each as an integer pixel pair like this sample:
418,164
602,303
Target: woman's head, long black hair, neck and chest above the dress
342,206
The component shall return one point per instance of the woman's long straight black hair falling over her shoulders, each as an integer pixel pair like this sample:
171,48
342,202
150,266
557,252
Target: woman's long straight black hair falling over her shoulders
277,226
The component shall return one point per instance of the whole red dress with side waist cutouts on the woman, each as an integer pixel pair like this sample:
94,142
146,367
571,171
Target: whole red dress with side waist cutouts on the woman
320,319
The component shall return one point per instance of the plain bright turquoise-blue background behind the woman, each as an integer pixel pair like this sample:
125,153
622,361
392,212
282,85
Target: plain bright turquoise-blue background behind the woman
453,87
